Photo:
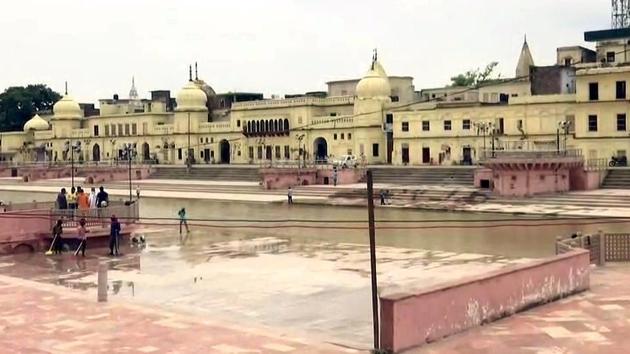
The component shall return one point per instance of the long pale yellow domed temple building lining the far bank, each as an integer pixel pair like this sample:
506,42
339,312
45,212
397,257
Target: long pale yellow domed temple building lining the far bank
579,102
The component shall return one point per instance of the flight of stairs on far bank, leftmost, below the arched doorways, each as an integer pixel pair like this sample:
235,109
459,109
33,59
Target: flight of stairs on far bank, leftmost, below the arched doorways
214,173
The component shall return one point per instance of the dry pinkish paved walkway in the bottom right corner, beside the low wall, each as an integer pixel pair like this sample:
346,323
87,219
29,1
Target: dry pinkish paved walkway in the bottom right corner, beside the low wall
596,321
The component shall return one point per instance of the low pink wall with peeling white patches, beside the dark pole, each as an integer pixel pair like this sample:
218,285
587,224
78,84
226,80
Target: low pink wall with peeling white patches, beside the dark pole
412,319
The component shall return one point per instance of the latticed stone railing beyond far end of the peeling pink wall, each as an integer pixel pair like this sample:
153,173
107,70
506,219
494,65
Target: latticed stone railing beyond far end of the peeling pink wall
603,247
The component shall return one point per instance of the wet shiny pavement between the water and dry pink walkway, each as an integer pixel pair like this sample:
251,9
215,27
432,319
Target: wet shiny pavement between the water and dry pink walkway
320,289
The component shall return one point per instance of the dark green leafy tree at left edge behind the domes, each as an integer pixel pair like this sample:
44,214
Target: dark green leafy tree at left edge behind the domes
18,104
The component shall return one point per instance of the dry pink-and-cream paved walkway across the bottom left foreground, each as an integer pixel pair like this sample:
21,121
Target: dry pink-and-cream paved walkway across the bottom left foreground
42,318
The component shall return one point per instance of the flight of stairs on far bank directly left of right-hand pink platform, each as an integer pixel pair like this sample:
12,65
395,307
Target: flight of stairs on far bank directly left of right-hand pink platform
424,176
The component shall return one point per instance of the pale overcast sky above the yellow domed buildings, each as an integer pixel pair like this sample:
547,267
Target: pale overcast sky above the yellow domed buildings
275,46
